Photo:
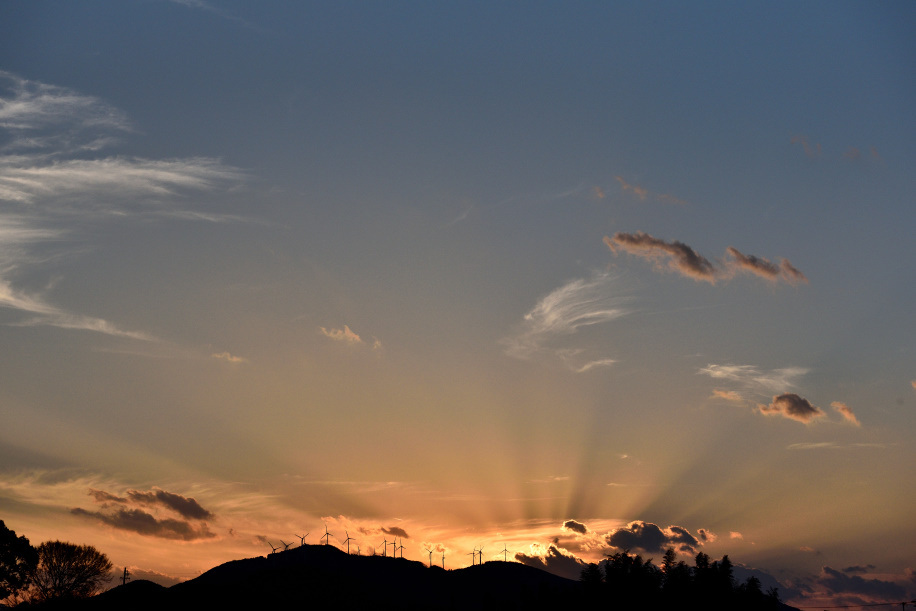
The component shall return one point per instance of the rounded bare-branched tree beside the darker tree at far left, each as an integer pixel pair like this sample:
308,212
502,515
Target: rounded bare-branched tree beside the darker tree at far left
67,570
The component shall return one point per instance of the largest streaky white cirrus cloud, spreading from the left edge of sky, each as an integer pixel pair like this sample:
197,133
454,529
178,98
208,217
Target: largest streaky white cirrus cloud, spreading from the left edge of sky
53,183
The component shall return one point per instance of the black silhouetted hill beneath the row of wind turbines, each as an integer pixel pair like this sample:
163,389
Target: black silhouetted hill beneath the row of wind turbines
324,577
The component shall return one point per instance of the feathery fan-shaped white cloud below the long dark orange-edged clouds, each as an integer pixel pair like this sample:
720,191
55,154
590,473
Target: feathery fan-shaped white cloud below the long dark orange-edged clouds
564,312
